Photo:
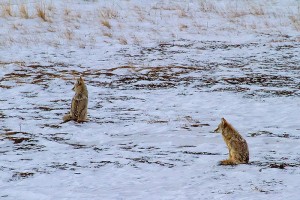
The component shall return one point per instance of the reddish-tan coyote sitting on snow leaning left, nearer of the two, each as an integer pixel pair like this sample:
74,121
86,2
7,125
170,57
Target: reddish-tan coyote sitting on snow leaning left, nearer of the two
237,145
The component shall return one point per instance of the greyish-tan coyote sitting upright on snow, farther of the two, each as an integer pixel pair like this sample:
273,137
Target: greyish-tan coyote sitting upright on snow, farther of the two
79,104
